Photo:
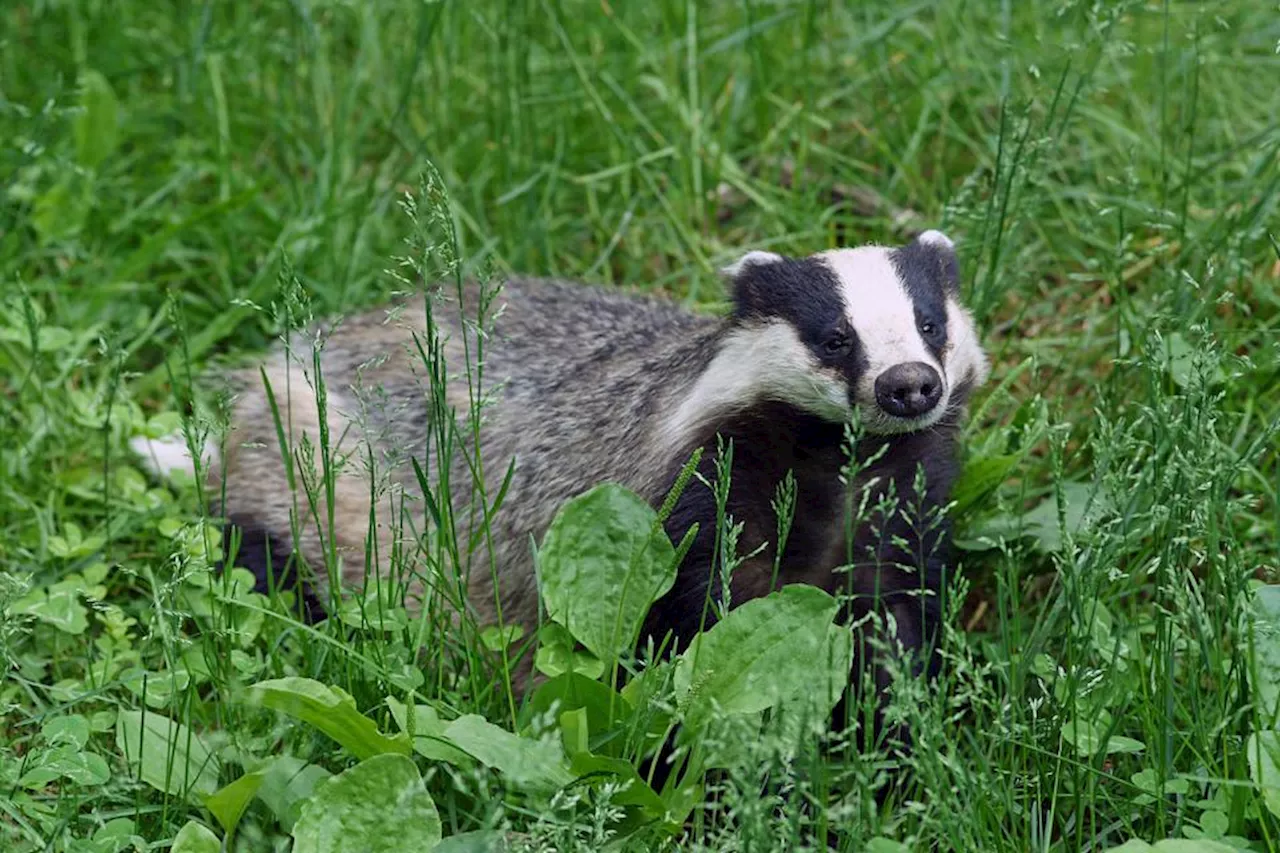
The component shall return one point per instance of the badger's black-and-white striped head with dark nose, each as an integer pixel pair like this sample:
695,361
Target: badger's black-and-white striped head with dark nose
875,329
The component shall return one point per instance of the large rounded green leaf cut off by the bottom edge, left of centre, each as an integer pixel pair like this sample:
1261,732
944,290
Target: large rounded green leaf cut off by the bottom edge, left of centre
378,806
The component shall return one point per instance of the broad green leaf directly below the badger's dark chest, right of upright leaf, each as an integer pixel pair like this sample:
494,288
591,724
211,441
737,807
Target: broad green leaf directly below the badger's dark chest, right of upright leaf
749,662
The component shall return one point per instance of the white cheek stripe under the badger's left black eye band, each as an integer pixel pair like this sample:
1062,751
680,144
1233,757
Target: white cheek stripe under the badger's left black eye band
766,362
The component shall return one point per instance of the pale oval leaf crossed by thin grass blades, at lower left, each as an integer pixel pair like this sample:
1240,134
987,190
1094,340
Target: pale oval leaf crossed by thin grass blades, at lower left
167,755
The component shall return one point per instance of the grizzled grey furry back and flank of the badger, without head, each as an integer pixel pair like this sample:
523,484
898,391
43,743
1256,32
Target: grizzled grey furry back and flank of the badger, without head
572,380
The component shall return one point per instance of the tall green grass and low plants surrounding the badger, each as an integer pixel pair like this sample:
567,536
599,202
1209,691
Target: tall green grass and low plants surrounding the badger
1110,172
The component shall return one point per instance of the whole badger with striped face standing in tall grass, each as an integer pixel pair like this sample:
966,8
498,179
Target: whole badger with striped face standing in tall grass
593,385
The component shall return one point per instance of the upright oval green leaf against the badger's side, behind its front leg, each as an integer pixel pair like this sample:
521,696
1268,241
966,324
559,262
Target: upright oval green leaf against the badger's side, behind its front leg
605,560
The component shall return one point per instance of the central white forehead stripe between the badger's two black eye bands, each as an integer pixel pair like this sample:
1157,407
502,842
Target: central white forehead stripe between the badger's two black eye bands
879,308
